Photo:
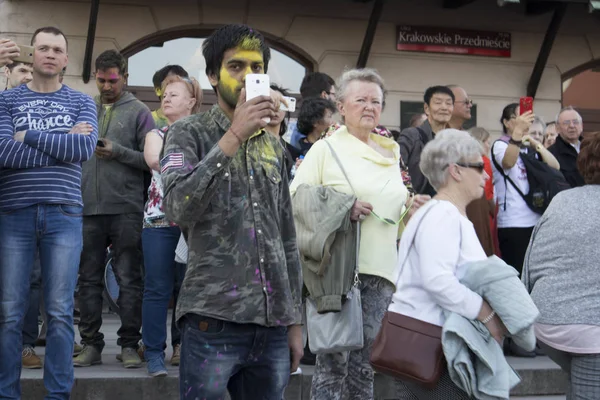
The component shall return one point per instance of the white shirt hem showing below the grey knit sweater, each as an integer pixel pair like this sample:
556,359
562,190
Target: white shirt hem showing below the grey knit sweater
578,339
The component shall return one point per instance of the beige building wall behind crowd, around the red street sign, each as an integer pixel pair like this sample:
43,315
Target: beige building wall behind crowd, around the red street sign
331,32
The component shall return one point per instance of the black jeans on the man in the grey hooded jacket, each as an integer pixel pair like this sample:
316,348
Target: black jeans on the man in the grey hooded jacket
124,232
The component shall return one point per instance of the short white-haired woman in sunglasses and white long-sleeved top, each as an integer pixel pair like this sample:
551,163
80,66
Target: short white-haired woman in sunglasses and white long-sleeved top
430,266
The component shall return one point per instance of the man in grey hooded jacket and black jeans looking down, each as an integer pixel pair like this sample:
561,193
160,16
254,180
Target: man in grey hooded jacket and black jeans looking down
113,199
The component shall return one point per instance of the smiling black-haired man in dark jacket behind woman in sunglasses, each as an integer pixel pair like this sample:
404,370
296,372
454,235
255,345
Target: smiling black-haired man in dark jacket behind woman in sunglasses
438,106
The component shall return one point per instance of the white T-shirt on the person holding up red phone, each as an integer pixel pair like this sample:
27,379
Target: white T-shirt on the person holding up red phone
513,212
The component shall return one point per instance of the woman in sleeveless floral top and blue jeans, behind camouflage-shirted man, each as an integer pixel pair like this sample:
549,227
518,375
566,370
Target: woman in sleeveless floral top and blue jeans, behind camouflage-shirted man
181,98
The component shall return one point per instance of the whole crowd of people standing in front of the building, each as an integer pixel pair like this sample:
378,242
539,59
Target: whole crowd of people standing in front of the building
268,221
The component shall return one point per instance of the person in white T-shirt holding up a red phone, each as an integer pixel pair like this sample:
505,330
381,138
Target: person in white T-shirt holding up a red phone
515,219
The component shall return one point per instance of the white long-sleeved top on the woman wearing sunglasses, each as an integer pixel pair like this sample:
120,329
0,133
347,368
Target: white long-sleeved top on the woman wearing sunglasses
429,281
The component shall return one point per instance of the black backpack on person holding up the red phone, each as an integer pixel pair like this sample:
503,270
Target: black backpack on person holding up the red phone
544,182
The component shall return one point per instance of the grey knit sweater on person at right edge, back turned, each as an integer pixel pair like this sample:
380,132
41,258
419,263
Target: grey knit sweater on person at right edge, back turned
562,265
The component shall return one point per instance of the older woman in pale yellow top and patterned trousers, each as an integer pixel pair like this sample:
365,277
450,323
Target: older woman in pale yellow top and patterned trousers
371,163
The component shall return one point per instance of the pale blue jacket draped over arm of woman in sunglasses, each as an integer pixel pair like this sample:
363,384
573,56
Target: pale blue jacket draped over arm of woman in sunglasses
476,362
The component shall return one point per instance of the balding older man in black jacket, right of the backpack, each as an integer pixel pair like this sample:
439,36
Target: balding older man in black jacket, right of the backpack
569,125
